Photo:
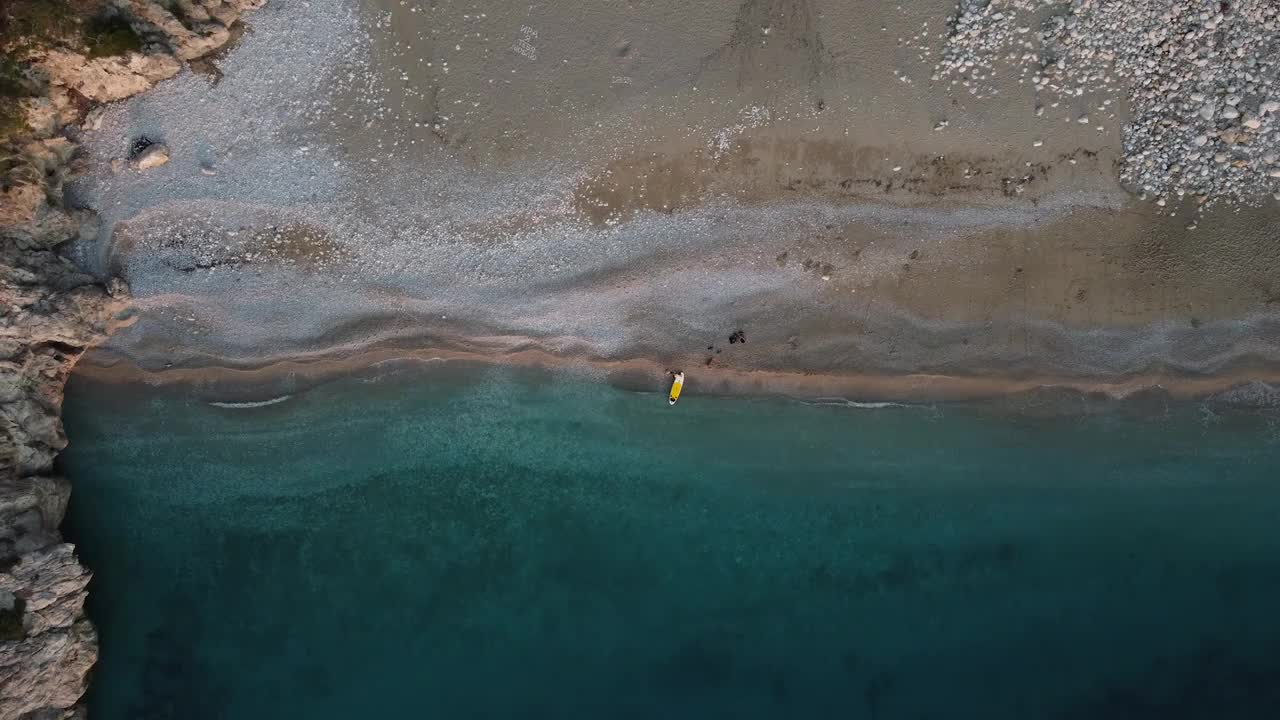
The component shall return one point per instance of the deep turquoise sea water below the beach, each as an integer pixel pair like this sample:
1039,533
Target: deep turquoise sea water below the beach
518,544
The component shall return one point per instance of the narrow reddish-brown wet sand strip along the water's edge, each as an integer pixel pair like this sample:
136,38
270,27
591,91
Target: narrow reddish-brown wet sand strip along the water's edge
267,382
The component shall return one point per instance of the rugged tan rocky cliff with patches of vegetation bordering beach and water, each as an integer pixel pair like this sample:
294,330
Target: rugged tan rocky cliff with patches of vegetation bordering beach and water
58,63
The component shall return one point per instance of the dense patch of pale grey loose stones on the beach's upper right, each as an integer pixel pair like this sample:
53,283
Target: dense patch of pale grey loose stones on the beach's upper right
1203,79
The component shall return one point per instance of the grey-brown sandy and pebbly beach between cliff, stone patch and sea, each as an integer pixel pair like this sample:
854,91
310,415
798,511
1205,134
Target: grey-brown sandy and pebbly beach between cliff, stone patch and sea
633,186
